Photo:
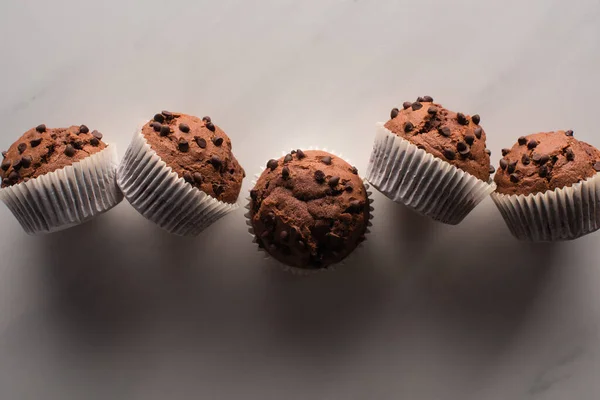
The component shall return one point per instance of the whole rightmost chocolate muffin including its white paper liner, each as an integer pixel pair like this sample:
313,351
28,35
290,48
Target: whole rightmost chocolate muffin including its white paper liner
549,187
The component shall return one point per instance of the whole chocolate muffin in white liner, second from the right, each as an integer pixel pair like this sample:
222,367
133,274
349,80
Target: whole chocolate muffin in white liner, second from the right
432,160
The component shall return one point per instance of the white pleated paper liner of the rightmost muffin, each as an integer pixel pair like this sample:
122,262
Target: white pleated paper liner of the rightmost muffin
555,215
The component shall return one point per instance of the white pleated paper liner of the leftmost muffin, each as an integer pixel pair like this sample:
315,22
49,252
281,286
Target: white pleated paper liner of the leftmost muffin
66,197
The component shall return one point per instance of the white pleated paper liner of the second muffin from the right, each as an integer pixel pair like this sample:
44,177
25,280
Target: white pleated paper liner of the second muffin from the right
430,186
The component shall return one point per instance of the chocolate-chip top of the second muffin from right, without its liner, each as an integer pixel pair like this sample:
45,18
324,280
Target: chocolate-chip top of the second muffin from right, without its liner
453,137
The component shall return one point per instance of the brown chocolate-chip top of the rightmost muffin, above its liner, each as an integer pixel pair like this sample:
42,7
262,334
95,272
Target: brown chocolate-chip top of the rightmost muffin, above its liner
545,161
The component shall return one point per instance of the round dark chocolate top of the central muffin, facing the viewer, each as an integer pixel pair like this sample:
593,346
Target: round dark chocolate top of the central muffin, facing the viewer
309,209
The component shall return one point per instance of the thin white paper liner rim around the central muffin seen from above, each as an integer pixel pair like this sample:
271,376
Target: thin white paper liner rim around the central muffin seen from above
298,270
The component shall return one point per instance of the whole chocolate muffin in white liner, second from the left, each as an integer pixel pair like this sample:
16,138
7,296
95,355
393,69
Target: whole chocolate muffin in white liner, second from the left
179,172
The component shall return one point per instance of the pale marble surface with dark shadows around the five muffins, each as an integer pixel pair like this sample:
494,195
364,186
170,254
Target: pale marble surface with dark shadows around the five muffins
117,309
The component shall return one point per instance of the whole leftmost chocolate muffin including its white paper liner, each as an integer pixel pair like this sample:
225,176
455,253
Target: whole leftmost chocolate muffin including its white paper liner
53,179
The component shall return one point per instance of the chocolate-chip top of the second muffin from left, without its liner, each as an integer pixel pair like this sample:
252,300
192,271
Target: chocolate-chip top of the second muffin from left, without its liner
198,151
